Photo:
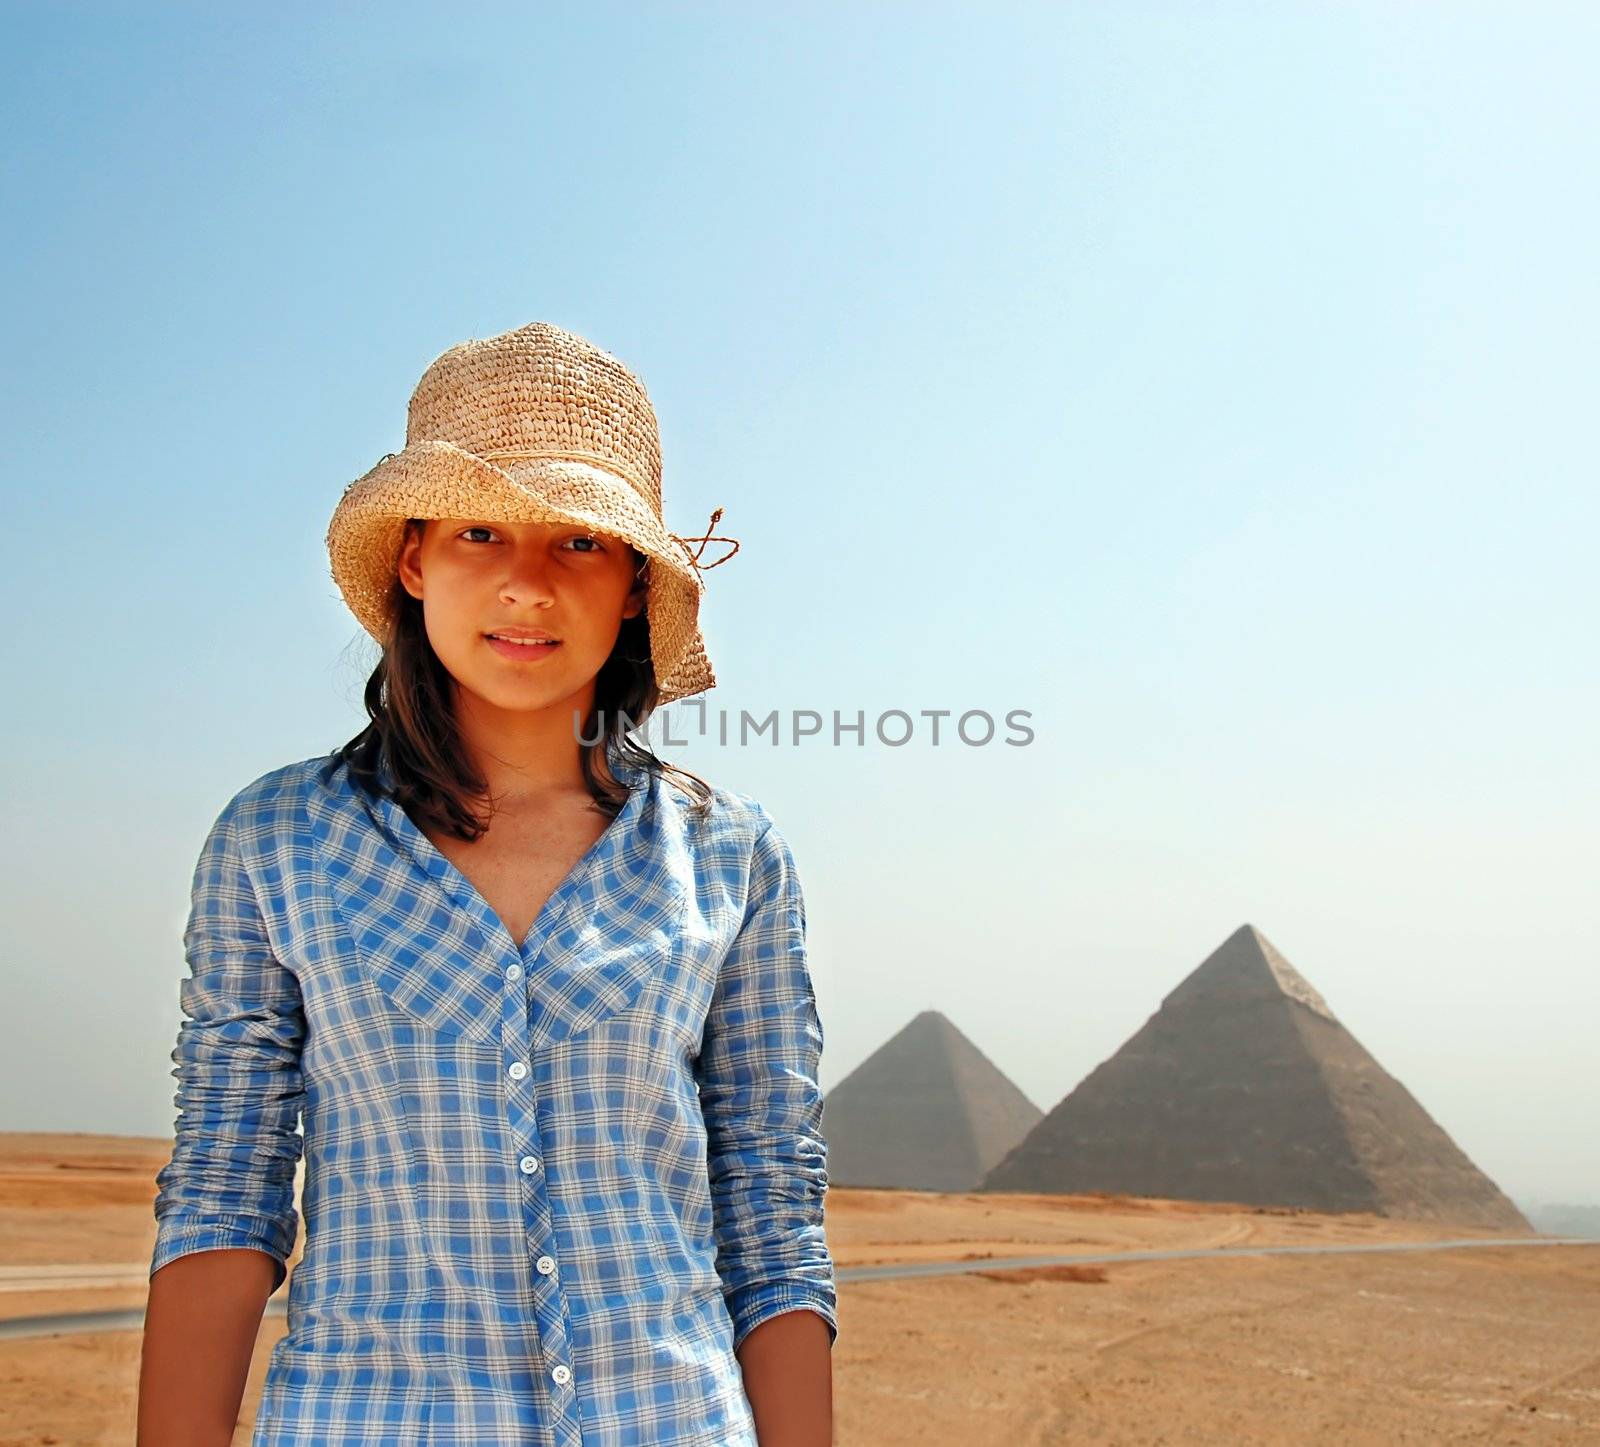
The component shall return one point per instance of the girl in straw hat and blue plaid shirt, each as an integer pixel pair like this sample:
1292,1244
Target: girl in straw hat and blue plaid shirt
540,1000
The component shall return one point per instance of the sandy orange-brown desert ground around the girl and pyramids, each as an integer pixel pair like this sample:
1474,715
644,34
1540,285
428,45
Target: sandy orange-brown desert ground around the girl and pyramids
1417,1347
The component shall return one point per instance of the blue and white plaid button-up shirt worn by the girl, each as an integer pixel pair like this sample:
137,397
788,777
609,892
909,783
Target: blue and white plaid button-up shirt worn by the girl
550,1187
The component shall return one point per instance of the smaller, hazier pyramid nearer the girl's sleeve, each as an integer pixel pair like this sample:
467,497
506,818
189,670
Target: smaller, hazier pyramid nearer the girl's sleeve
927,1112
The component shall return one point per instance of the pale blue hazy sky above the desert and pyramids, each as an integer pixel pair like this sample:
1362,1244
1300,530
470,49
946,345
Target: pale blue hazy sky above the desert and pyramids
1209,380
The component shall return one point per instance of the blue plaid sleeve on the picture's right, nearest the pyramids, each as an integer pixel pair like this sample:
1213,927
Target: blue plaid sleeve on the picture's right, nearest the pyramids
764,1110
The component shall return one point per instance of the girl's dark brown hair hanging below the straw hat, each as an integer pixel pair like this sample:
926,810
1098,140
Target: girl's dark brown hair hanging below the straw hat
414,726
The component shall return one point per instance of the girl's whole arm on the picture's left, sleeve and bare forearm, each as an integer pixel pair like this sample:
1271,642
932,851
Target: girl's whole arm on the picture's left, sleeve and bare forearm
225,1206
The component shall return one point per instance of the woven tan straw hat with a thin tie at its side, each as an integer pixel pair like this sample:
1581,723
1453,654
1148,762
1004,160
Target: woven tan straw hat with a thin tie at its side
535,425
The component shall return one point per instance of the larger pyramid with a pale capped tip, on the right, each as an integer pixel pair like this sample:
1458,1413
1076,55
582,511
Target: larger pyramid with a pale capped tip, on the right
1246,1088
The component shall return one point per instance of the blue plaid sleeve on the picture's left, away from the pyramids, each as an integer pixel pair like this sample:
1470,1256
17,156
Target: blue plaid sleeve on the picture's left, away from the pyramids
231,1177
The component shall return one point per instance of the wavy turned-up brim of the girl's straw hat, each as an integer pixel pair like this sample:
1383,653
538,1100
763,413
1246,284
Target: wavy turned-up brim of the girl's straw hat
439,479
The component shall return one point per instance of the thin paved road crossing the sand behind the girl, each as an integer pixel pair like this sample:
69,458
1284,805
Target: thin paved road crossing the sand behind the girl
58,1278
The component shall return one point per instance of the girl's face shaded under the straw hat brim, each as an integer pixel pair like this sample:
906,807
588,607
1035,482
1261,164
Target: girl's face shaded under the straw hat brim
479,579
